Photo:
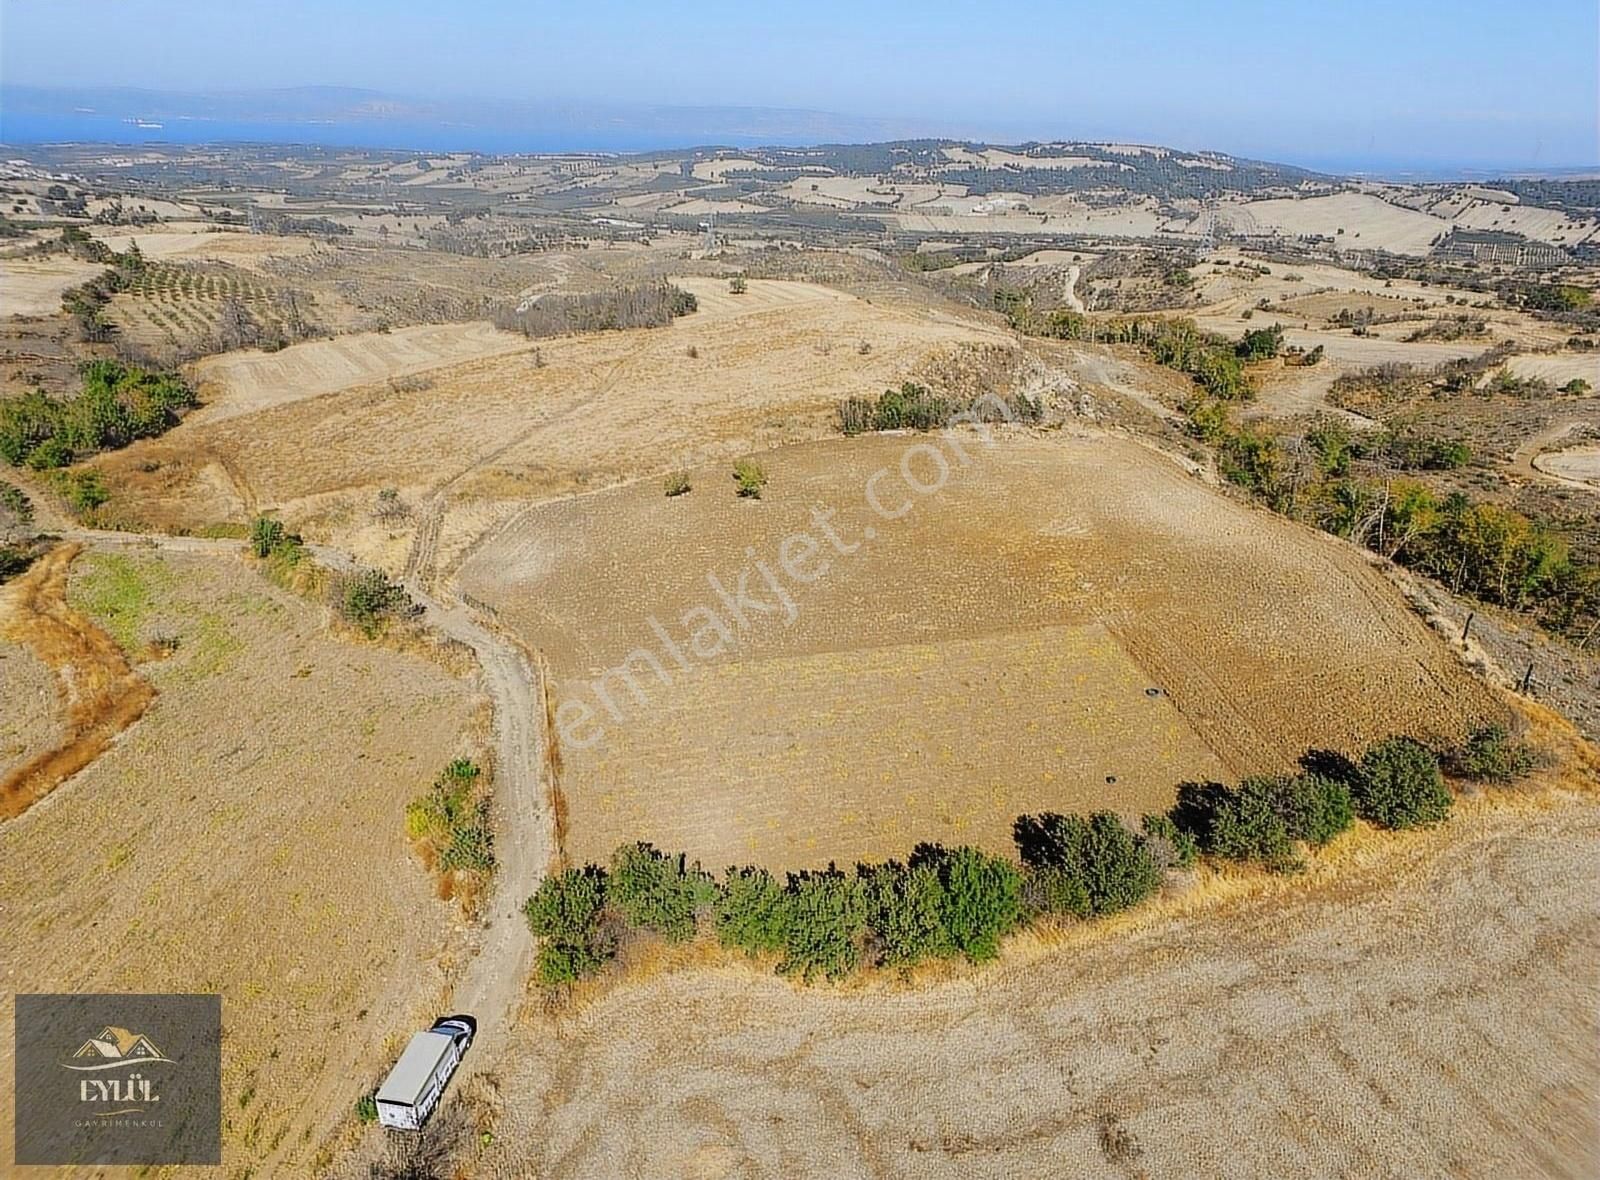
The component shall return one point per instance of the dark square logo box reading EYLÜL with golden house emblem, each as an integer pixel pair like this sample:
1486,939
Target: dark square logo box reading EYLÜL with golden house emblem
148,1093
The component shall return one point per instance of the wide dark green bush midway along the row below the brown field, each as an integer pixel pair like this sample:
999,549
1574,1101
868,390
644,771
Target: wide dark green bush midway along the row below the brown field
1100,855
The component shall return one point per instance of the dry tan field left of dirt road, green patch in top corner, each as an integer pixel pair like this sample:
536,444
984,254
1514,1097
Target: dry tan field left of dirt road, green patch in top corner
246,837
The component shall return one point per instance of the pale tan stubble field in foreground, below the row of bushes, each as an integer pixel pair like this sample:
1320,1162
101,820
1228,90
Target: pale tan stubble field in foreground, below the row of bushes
1415,1008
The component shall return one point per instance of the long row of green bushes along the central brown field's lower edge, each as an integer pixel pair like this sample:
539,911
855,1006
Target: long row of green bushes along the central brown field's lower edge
946,903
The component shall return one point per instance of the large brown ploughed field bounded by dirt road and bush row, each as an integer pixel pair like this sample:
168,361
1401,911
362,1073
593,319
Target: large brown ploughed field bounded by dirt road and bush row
1071,623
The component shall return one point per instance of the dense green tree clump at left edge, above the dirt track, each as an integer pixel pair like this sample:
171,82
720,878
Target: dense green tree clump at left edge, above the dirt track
116,405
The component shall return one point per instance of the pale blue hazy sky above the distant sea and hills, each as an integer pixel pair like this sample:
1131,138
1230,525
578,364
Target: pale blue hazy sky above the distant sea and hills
1422,81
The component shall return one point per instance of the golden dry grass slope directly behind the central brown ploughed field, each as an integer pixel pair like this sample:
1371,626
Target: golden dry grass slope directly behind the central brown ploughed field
586,412
